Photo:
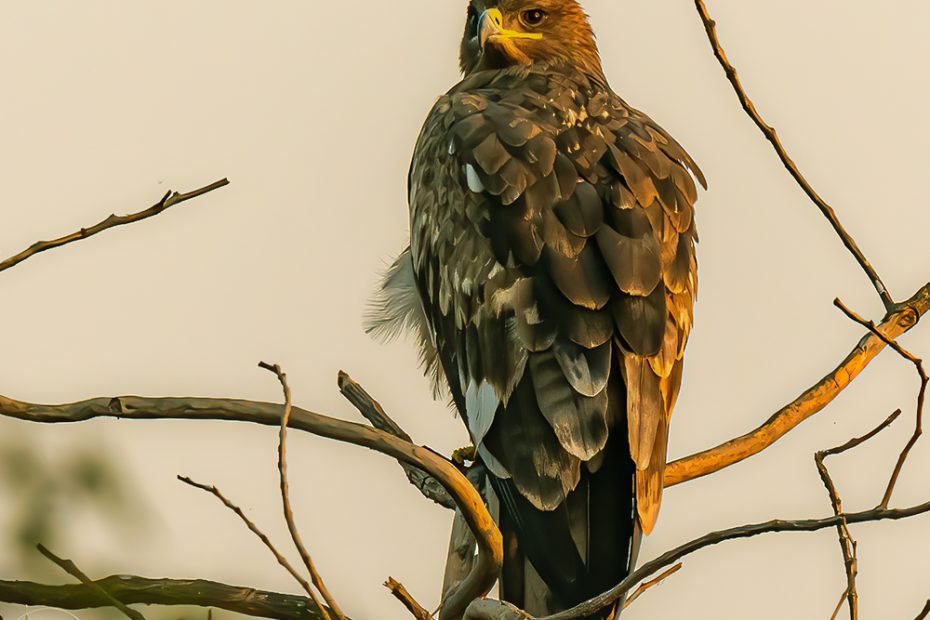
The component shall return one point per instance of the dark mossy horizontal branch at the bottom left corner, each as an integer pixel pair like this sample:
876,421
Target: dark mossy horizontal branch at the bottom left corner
133,590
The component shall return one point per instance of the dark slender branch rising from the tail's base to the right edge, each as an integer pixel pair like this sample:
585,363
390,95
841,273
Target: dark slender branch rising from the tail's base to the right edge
745,531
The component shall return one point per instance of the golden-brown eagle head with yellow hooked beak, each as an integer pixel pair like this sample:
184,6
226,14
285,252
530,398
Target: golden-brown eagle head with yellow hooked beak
506,33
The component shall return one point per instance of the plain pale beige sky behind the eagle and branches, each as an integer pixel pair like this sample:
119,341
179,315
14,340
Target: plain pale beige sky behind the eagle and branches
311,109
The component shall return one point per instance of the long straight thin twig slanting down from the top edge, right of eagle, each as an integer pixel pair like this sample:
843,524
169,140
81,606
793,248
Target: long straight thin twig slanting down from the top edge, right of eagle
710,26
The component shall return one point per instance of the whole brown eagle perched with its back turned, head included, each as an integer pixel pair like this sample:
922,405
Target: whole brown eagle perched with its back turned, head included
550,278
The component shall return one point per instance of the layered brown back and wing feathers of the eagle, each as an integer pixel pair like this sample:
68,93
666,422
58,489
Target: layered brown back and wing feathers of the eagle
552,237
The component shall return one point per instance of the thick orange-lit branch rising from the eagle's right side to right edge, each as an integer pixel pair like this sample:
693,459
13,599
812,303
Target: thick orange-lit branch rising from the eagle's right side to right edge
812,401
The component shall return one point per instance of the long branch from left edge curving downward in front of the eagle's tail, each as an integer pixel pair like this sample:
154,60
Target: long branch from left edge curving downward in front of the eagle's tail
469,501
